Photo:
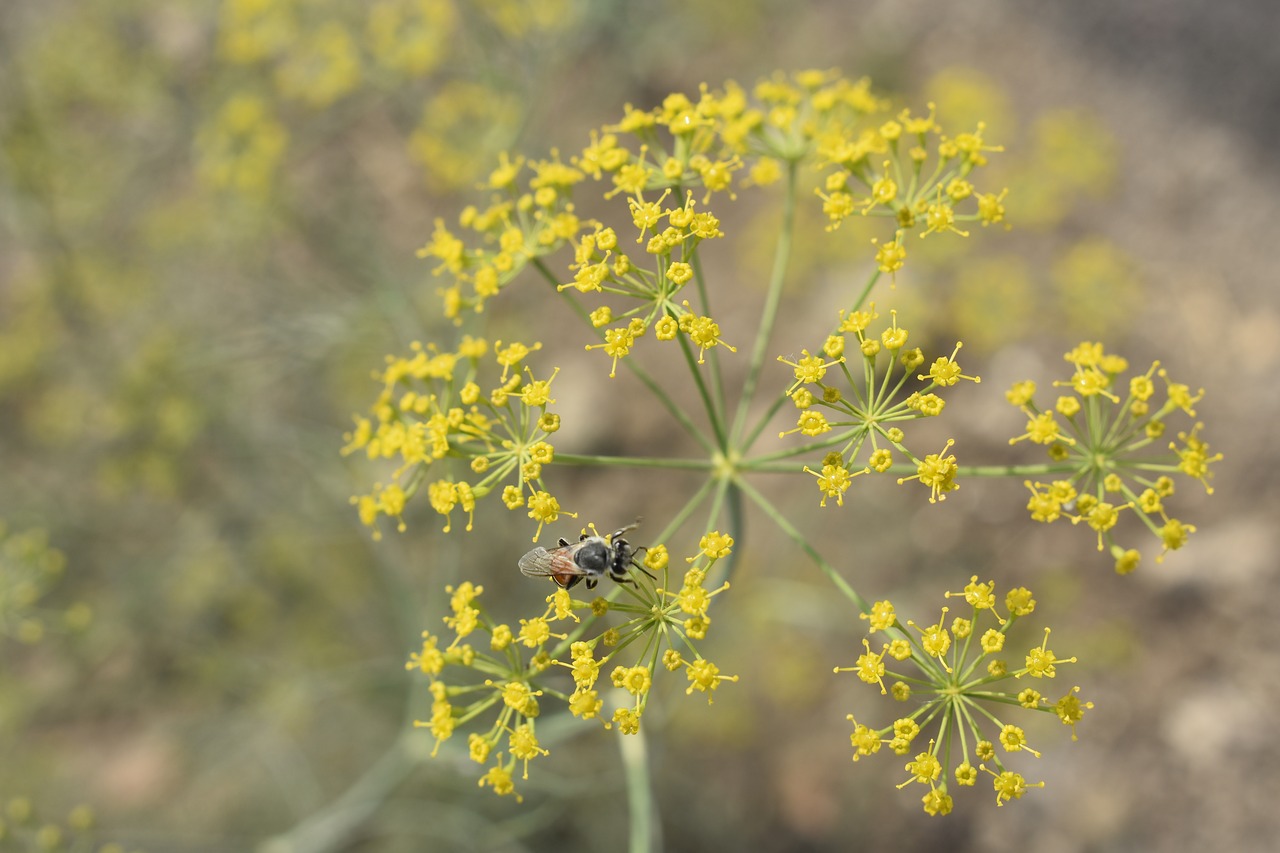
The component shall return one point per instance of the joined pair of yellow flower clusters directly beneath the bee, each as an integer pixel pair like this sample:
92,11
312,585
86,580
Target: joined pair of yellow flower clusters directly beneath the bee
520,669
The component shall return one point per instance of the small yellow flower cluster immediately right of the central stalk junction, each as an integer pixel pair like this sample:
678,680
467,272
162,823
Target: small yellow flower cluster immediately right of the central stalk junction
868,414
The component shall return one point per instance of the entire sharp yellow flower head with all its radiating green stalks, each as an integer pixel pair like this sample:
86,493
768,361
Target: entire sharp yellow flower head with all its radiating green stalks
674,167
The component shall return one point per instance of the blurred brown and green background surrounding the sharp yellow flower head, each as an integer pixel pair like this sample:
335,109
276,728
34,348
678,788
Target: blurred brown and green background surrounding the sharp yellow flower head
209,215
